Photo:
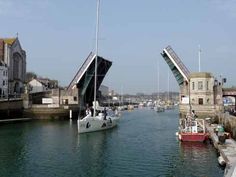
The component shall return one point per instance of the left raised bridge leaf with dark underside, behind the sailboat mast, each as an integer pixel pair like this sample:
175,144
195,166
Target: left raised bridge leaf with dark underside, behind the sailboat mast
84,79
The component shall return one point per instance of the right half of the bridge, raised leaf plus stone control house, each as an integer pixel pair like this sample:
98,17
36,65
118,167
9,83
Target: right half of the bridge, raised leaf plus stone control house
199,91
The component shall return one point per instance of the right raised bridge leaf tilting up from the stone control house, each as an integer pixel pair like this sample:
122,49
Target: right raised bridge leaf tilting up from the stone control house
177,67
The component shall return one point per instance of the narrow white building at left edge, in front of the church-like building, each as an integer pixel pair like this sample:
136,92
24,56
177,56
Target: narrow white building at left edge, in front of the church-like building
3,80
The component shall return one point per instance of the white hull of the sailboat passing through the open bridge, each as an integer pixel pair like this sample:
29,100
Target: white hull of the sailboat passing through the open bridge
92,124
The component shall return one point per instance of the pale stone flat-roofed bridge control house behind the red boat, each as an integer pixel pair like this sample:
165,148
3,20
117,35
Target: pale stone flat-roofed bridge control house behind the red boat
204,95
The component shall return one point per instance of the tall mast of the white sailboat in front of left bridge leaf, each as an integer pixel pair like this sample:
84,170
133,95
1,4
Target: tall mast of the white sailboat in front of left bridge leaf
96,51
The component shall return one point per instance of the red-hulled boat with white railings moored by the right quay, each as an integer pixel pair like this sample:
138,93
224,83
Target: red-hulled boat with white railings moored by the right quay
192,130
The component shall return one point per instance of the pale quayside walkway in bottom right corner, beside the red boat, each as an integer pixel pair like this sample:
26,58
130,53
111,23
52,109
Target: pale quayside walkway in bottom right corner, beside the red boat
227,151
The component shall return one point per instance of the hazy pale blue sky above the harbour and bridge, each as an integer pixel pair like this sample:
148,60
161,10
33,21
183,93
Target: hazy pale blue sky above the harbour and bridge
58,35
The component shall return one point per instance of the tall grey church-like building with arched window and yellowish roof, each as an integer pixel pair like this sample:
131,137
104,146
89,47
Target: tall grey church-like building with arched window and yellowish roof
14,56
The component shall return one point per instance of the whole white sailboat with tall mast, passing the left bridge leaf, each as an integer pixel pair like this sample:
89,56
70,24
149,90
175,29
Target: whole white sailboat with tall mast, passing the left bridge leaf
100,120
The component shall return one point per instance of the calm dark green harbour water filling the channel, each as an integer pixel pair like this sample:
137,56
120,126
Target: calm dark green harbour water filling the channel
144,144
